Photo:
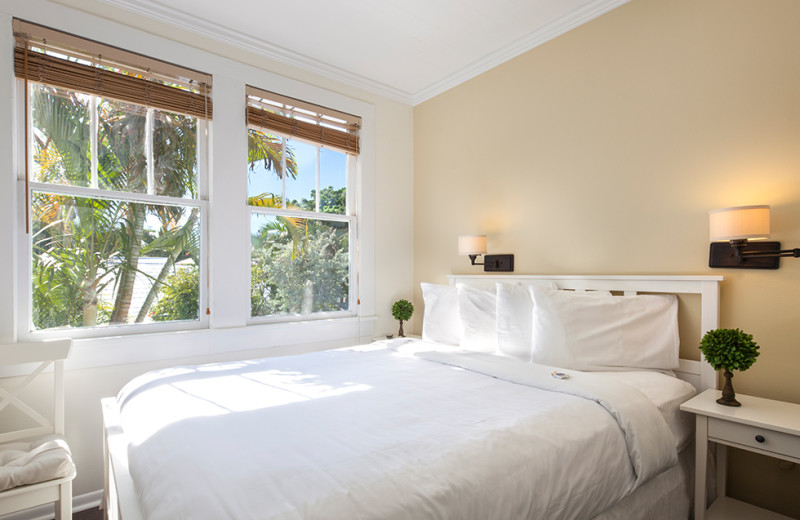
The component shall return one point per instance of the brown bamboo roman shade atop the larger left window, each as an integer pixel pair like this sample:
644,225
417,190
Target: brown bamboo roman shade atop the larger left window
62,60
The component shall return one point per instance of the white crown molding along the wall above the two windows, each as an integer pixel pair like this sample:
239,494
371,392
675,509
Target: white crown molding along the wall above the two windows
170,16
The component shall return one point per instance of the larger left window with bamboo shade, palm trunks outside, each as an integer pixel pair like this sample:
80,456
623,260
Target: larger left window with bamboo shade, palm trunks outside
115,176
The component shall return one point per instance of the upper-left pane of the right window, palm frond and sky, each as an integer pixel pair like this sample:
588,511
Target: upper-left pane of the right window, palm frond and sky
264,184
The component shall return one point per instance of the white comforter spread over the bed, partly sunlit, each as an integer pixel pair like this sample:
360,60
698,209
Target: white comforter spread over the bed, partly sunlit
375,433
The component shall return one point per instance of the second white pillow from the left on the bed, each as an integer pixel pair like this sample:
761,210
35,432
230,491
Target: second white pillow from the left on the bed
477,311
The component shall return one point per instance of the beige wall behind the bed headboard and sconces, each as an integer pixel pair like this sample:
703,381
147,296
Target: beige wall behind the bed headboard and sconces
602,152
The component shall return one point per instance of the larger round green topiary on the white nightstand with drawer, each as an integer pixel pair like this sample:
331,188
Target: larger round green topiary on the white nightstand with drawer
729,349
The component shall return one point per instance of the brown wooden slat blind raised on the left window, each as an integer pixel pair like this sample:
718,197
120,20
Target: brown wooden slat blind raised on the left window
33,65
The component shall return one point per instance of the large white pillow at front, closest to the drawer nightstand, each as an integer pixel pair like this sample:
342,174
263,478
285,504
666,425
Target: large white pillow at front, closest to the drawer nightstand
587,331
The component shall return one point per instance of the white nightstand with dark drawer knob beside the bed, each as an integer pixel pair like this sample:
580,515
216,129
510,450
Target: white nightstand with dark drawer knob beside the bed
759,425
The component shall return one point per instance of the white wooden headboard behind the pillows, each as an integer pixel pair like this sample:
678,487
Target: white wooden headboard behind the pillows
699,373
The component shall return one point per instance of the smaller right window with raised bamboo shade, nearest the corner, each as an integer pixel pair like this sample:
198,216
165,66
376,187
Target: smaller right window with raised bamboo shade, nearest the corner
301,198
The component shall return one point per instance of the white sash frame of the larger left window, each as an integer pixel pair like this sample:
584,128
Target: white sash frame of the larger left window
24,244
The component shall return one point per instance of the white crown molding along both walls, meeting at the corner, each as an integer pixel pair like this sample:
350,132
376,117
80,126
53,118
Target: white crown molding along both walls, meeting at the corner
543,34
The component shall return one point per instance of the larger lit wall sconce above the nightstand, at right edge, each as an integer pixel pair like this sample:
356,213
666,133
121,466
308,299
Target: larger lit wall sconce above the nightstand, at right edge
738,226
